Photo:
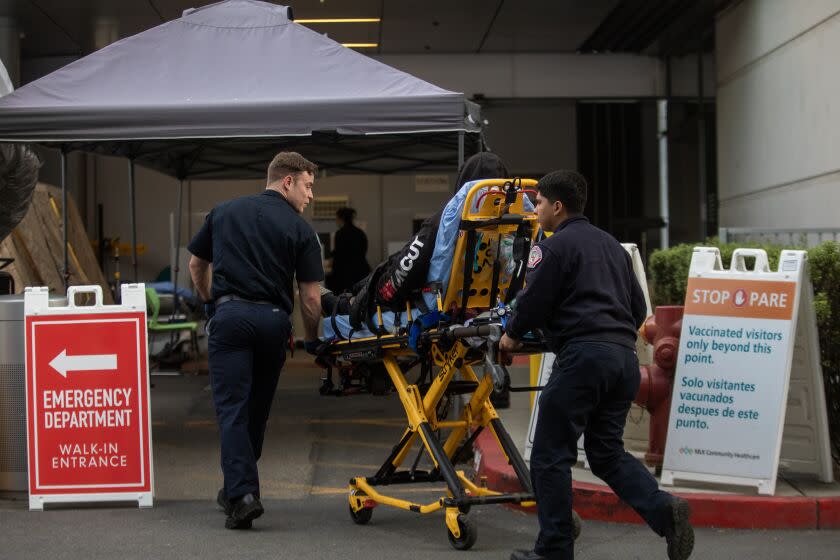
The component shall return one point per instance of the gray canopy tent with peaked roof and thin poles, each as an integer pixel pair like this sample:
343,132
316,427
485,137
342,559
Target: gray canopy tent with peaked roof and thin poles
215,93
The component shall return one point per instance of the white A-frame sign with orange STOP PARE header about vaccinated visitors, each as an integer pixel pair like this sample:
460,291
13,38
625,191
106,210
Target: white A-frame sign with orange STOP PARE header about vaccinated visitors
748,370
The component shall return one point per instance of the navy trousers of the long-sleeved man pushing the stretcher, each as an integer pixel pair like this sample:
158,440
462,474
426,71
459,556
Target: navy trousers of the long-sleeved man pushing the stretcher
590,390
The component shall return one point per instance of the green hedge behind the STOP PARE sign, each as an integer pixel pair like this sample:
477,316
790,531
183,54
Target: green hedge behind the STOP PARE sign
668,272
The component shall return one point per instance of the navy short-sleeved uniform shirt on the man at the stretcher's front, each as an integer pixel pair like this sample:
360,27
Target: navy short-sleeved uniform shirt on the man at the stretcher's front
257,245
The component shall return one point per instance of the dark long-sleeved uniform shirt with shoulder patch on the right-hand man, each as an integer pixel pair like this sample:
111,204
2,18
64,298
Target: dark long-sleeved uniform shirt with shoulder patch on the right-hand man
580,286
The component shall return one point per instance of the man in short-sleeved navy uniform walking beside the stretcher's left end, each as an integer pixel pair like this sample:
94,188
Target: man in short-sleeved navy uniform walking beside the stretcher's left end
245,259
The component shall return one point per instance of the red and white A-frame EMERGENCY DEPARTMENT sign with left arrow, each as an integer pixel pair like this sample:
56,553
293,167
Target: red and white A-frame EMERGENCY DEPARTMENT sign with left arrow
87,399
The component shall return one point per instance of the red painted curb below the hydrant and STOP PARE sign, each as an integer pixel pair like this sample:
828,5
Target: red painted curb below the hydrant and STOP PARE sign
594,501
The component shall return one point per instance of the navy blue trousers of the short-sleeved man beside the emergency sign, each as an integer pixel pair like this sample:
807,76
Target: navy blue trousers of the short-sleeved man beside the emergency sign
247,346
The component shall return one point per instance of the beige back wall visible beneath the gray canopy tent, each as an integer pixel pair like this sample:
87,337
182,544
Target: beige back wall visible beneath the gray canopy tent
386,206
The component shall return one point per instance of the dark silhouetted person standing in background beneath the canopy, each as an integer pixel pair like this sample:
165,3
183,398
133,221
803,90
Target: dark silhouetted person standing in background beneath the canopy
349,254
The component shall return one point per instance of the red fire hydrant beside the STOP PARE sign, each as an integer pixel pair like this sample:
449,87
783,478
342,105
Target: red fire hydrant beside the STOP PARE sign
663,331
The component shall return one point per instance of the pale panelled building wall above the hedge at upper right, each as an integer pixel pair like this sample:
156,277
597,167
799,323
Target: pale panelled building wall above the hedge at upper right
778,124
